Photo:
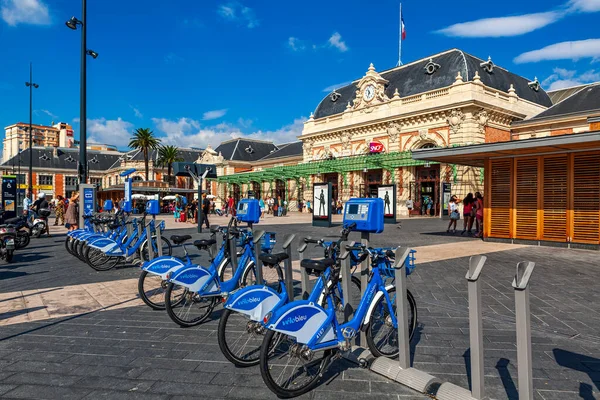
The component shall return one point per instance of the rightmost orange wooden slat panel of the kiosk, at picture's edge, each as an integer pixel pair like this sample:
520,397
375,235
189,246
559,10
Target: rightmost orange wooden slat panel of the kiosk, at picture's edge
586,197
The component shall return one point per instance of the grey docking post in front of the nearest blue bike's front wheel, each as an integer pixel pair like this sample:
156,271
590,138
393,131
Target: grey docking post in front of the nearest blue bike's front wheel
402,254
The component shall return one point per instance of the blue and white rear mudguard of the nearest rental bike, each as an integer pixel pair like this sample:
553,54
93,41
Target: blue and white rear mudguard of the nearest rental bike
302,320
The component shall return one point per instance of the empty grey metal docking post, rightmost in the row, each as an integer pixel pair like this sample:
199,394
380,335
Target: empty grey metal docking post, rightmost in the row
523,322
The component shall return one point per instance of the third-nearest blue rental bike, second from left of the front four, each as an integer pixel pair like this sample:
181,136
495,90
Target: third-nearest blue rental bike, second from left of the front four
202,288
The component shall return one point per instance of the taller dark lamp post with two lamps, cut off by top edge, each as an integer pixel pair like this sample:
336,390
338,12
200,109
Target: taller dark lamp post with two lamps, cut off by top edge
72,24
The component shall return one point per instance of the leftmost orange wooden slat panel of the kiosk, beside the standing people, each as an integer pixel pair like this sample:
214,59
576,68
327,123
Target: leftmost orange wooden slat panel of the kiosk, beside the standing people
500,197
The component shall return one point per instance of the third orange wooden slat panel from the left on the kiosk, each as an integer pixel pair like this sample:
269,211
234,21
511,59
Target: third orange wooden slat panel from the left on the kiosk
555,198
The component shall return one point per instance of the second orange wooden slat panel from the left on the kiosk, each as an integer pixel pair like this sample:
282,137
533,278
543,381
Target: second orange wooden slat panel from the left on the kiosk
526,200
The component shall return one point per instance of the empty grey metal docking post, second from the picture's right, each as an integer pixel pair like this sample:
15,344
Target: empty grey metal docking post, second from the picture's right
476,326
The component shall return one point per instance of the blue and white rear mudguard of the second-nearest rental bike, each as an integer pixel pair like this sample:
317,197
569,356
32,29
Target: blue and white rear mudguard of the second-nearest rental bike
255,301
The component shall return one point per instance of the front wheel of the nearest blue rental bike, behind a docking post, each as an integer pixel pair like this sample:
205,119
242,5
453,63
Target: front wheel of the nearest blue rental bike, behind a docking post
382,337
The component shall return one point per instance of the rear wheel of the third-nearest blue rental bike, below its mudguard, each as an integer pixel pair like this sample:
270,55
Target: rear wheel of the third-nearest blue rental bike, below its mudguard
187,308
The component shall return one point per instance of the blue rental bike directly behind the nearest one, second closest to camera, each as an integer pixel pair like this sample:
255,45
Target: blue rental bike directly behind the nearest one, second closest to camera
241,329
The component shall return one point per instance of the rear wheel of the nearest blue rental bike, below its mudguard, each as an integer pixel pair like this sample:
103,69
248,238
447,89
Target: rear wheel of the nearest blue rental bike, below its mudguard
288,368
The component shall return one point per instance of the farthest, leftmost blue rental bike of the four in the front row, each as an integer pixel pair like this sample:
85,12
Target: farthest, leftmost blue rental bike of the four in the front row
152,283
